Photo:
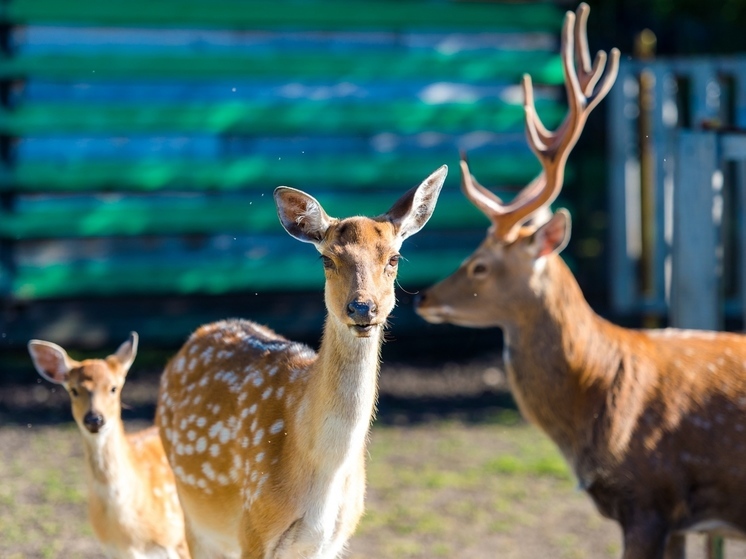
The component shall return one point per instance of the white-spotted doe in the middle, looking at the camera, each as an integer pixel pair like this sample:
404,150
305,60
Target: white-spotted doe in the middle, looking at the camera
267,438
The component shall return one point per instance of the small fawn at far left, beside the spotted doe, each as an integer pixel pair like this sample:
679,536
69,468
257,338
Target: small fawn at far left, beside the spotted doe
132,500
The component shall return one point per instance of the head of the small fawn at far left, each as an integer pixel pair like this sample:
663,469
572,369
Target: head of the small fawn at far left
94,385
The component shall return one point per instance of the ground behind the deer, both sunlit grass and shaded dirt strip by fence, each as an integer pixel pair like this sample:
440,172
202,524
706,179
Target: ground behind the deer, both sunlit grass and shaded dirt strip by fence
453,472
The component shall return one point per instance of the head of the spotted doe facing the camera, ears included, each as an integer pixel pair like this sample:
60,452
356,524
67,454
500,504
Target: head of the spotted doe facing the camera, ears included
360,254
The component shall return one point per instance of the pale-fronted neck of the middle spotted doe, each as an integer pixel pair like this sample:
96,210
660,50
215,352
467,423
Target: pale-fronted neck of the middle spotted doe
340,396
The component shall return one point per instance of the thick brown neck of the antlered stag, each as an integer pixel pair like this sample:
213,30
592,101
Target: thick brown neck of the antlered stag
560,359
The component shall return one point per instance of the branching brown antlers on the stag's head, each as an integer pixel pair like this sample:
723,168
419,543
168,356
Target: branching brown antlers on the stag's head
585,89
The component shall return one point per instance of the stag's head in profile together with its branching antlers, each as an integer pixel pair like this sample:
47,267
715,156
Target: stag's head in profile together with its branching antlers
493,285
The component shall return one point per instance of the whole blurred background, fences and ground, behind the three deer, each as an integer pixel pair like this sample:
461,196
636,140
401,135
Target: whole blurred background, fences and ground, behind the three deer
141,141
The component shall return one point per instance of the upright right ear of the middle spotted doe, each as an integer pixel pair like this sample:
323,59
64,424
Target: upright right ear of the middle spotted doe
412,211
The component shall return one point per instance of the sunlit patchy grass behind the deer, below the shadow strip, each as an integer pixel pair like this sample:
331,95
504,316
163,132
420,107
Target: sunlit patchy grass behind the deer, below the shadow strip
443,489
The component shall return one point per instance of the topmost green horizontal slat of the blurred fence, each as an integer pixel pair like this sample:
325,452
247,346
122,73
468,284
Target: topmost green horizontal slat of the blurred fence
327,14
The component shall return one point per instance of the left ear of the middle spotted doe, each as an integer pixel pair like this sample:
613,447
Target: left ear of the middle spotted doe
301,215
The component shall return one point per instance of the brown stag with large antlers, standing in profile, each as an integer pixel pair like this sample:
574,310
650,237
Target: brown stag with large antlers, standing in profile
652,422
